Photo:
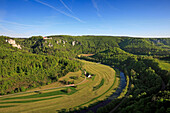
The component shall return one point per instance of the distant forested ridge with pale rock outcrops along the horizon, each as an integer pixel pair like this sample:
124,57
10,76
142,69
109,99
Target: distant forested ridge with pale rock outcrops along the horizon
62,45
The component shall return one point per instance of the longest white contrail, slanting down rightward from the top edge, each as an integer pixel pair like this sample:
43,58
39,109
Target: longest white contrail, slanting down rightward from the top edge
62,12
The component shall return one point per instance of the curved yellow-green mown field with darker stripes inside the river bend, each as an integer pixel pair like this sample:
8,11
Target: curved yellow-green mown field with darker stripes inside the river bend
52,100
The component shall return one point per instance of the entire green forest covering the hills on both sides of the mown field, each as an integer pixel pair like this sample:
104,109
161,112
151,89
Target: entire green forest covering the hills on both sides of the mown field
43,61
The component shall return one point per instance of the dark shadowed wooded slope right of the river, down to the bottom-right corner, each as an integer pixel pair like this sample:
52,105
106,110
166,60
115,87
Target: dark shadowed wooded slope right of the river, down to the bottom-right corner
147,92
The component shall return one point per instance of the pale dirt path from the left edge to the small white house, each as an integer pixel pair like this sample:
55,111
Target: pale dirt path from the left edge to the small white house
47,89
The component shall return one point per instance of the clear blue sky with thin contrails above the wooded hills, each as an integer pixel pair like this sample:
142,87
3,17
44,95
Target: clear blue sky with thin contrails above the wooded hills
24,18
